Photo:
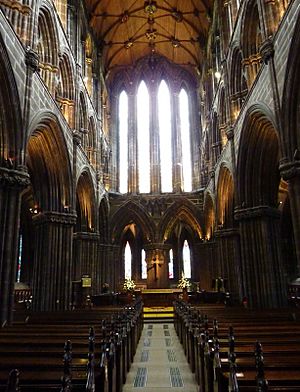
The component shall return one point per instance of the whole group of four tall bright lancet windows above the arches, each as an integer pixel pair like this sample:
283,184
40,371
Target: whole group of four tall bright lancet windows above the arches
154,136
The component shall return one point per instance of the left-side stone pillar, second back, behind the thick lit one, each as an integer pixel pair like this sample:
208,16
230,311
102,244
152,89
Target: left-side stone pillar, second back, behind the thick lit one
85,260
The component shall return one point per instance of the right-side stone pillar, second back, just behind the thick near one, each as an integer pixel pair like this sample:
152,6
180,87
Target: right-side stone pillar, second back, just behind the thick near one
228,246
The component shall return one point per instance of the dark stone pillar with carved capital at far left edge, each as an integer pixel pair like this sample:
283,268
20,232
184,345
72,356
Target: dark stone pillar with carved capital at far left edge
12,182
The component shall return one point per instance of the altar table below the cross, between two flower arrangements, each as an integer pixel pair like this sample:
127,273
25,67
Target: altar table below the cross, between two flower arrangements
160,297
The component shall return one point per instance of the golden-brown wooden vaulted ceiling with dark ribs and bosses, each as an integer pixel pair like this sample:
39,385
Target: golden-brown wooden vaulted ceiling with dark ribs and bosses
130,29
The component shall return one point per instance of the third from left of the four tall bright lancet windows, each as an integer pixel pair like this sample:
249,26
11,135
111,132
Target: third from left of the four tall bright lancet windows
165,137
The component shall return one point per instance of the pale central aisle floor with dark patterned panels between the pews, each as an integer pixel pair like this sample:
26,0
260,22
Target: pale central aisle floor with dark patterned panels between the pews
160,363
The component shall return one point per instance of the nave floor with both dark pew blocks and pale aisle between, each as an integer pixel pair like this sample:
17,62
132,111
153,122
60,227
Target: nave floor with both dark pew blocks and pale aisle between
206,348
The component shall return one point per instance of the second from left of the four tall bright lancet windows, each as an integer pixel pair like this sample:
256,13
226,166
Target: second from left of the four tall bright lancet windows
143,103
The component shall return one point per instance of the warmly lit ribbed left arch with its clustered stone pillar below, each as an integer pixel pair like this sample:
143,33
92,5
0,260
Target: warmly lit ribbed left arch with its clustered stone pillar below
53,216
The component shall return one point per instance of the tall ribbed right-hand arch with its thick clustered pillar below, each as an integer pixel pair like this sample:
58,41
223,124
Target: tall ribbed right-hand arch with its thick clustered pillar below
258,215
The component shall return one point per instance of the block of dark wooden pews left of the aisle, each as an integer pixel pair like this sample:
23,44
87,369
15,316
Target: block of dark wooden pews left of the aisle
80,350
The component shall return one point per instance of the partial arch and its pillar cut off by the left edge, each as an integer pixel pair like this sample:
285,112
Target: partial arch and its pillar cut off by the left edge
13,180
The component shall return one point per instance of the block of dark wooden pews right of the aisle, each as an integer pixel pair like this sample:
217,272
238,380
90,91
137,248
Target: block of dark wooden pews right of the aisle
240,350
